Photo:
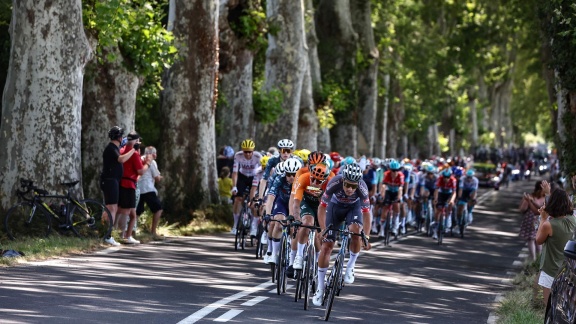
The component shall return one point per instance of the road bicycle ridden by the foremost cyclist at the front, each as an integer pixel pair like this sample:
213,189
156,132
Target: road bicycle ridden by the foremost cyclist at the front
335,281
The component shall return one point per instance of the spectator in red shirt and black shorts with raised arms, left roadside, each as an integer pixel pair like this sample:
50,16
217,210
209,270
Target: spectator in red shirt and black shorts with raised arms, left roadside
133,168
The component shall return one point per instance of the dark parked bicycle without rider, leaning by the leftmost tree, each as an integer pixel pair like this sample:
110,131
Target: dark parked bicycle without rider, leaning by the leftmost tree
34,217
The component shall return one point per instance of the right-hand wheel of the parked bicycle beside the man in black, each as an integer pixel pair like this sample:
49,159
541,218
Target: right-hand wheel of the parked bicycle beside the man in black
91,219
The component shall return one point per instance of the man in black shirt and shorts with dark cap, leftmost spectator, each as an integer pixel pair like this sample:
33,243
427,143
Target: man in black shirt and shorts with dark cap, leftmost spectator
112,170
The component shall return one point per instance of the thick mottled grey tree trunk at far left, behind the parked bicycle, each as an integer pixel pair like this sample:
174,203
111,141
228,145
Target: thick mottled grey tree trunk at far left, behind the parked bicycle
41,127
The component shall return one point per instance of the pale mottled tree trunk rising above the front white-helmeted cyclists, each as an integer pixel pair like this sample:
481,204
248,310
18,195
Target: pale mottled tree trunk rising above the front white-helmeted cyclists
284,68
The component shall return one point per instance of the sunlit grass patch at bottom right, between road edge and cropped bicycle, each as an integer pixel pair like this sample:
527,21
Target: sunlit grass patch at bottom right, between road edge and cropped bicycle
523,305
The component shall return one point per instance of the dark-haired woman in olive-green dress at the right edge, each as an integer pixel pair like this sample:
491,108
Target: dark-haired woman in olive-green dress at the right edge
557,226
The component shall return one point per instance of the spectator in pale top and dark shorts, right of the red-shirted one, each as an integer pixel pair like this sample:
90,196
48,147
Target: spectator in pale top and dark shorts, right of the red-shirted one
148,192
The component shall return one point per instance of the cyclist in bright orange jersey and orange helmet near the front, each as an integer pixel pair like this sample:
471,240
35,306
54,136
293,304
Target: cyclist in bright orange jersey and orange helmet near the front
307,191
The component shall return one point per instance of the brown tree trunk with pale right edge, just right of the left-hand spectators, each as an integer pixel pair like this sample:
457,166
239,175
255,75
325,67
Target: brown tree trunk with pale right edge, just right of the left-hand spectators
188,105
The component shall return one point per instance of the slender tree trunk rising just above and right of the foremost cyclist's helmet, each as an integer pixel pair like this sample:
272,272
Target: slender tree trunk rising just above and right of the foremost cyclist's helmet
367,74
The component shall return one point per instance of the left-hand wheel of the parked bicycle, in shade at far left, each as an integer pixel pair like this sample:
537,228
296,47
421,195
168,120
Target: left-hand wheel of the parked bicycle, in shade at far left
24,221
